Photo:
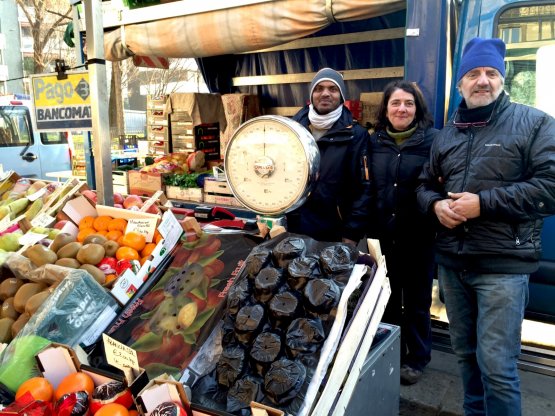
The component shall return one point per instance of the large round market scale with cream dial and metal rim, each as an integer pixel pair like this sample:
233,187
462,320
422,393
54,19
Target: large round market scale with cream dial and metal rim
271,164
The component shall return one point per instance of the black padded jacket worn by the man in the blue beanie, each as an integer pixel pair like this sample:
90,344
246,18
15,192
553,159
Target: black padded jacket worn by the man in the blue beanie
510,164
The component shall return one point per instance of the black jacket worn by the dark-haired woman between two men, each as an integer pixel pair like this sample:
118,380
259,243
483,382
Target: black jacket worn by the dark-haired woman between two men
395,216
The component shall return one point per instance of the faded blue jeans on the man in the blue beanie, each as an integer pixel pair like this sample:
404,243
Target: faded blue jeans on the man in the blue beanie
485,314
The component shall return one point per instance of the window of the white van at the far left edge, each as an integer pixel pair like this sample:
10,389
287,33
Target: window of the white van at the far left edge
14,127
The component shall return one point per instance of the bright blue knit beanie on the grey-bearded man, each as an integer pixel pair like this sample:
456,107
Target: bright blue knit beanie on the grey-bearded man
480,52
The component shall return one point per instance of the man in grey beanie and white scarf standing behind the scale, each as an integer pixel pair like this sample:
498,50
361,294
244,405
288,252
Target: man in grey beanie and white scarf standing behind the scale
337,208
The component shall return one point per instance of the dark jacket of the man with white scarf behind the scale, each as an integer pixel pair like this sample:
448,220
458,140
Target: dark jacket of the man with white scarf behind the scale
338,205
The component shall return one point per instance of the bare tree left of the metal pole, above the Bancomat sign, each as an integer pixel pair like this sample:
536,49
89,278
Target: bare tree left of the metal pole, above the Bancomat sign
47,20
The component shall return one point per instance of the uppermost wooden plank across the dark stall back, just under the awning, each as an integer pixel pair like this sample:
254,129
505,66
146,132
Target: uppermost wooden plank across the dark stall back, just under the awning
343,39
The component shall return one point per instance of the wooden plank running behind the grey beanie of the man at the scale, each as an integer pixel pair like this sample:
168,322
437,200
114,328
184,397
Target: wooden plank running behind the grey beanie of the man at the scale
348,75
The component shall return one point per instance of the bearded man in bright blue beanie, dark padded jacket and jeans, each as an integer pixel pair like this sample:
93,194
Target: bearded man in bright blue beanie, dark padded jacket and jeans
490,182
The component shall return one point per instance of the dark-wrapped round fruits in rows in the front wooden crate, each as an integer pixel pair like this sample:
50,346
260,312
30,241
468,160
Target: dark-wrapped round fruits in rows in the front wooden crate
278,315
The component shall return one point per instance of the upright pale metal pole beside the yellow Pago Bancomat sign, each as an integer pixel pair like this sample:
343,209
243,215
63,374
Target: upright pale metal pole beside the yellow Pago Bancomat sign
99,102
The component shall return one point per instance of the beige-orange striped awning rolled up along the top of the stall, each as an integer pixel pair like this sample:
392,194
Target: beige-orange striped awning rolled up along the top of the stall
238,29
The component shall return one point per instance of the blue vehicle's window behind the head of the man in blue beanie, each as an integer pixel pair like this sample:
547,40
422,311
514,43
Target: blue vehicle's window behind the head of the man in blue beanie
525,29
